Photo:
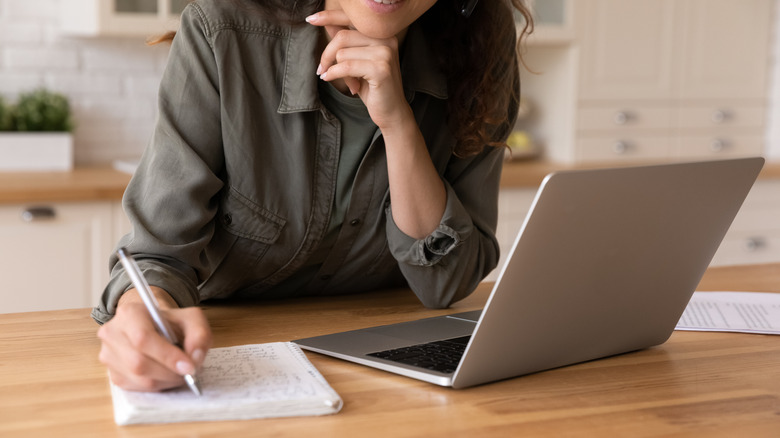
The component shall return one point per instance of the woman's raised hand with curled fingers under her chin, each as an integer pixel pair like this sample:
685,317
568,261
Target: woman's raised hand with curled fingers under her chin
370,68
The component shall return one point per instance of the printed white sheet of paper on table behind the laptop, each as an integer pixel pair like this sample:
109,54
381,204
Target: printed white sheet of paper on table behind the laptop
744,312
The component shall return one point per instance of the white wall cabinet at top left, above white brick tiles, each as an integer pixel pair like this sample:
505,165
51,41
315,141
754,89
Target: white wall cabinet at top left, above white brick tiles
120,17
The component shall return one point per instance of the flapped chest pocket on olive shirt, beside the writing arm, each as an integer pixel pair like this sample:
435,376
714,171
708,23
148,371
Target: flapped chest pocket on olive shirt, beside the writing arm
247,231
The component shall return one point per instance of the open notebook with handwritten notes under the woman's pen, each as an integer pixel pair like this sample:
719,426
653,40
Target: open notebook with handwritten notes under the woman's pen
238,383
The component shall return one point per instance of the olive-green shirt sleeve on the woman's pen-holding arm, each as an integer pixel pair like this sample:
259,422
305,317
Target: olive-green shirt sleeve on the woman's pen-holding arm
172,198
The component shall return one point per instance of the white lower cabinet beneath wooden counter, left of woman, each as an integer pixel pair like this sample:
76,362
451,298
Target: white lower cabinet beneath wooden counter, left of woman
53,256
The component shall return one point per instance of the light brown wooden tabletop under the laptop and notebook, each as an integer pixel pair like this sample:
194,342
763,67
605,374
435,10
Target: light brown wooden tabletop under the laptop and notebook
696,384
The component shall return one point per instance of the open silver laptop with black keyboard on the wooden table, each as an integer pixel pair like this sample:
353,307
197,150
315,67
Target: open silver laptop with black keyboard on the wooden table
605,263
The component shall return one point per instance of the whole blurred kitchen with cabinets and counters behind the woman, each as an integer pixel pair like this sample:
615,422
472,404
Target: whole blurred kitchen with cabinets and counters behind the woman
612,82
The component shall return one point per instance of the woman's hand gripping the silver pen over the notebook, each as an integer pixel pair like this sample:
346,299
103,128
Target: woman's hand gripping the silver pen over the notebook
138,357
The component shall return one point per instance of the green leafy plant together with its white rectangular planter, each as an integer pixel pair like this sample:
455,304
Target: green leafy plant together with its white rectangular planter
35,133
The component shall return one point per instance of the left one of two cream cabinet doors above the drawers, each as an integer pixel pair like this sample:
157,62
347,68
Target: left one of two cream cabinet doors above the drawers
626,49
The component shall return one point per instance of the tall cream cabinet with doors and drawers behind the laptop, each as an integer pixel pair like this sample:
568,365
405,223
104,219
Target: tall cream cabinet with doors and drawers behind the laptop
664,80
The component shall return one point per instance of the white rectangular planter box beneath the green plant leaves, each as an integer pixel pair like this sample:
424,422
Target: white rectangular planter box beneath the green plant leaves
36,151
